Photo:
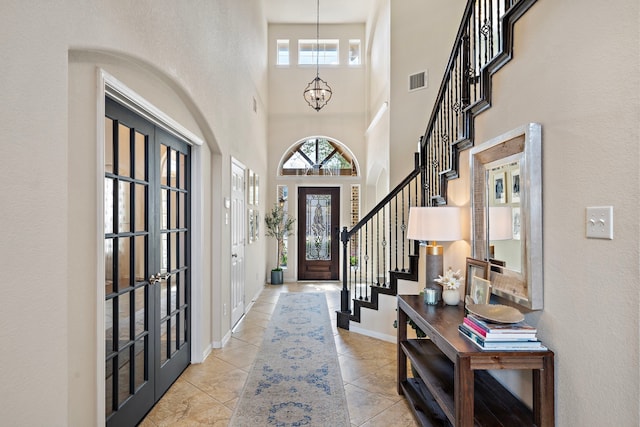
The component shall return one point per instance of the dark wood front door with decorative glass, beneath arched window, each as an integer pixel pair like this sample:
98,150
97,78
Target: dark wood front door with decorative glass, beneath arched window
318,231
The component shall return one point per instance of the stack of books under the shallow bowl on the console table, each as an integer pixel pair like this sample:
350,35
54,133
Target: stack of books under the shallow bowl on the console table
500,336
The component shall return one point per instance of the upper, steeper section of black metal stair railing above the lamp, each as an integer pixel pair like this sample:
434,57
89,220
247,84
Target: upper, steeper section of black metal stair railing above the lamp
484,43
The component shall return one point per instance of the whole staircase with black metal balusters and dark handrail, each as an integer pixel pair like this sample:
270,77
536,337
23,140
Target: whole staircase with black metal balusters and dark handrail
376,252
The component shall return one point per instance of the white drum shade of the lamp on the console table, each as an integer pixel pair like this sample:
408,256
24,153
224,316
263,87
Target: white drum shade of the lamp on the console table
434,224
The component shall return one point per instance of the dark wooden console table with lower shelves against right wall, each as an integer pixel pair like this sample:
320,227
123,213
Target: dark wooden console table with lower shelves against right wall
453,387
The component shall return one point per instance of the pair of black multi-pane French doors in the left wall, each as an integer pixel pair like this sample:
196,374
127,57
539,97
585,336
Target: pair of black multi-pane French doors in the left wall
147,277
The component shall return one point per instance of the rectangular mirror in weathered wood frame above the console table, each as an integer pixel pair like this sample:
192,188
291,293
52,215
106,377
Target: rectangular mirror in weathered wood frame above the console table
506,200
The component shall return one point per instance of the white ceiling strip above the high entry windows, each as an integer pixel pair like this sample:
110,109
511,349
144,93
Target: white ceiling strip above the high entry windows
304,11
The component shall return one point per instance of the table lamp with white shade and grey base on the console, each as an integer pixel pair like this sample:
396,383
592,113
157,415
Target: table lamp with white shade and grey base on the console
433,224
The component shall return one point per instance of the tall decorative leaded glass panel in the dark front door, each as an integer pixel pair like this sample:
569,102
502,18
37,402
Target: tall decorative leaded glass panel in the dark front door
318,233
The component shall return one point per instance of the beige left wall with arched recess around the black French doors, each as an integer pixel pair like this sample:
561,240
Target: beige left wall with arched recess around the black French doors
193,65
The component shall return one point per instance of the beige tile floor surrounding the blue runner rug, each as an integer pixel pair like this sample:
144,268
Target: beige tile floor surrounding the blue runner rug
206,393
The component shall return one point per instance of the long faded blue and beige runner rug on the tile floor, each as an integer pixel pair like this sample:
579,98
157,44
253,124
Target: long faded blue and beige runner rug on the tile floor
295,380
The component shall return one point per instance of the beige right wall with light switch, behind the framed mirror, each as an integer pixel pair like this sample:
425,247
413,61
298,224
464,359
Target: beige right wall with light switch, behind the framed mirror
575,71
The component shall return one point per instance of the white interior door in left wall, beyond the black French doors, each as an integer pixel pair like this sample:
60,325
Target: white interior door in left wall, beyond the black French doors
238,239
